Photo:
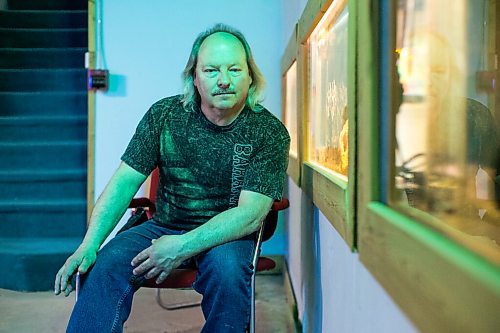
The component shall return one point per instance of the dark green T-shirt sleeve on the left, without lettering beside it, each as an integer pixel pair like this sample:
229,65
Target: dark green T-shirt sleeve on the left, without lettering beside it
143,150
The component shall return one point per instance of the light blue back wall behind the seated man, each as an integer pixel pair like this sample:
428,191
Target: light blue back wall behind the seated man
146,46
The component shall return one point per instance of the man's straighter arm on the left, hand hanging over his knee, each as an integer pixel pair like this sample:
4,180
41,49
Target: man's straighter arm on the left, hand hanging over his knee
108,211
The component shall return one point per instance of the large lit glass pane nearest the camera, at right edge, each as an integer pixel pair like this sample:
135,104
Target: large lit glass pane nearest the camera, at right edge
446,137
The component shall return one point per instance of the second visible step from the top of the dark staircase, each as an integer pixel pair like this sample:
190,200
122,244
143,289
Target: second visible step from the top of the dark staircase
43,19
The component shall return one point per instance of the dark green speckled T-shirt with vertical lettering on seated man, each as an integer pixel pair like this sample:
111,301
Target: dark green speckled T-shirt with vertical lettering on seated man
203,167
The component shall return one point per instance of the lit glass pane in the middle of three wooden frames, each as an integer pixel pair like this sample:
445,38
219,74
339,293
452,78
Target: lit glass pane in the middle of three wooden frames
327,117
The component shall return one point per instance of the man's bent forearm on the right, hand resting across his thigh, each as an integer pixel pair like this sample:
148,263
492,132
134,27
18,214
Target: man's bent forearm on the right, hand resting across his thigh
168,252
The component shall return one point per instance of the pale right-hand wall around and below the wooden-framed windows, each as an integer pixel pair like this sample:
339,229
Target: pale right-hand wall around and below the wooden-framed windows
334,291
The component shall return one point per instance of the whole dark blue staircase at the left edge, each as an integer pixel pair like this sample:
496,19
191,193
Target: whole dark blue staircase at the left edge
43,138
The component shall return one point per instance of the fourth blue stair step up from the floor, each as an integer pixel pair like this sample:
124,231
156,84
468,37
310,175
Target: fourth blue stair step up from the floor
44,155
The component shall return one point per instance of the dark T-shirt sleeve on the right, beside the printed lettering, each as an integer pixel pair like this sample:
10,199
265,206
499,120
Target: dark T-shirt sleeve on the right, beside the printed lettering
266,172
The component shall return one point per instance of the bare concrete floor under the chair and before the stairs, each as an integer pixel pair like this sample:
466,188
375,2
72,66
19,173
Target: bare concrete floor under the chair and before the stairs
42,312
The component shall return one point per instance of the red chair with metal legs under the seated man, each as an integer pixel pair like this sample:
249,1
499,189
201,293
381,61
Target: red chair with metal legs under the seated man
144,208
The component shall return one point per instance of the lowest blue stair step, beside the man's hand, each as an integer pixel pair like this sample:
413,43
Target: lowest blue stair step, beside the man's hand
31,264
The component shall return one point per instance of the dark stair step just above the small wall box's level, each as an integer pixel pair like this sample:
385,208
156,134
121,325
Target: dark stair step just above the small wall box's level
42,58
